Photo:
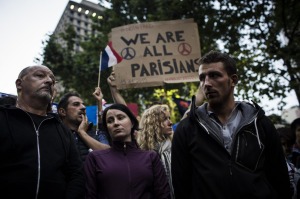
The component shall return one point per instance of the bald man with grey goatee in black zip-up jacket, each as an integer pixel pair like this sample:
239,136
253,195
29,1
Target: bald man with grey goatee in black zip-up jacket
38,154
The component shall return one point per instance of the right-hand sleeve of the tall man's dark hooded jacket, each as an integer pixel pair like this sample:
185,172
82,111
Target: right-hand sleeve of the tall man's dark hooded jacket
275,166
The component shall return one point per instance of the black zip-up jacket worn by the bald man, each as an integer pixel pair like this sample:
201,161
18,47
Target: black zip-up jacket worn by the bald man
38,161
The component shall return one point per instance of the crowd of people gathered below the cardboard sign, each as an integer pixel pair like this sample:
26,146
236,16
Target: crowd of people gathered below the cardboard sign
221,148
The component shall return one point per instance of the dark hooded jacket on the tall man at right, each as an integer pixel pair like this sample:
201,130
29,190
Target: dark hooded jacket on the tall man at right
203,168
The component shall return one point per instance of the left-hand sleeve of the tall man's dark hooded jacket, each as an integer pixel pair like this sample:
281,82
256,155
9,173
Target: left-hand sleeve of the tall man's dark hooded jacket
181,168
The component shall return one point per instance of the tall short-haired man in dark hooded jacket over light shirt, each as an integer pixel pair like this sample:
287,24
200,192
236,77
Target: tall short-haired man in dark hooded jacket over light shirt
226,149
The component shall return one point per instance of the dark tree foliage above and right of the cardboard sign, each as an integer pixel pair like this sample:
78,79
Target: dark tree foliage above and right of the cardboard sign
263,35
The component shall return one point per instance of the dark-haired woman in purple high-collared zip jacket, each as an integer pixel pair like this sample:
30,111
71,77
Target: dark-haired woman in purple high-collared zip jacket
124,171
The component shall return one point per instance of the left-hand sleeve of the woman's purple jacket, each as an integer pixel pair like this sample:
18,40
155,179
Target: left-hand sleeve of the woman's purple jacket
90,174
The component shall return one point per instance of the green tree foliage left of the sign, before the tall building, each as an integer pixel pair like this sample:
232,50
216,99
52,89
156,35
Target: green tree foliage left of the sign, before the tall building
75,70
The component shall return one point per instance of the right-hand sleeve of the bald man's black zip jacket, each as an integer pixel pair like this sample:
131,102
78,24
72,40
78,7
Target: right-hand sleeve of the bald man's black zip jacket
74,171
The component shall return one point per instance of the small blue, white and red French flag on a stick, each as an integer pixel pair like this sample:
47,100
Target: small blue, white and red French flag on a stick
109,57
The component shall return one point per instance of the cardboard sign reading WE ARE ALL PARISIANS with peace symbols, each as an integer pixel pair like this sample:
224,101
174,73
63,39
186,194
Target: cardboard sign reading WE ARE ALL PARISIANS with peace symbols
155,53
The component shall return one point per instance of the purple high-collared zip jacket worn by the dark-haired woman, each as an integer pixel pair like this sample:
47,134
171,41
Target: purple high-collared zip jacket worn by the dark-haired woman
126,172
